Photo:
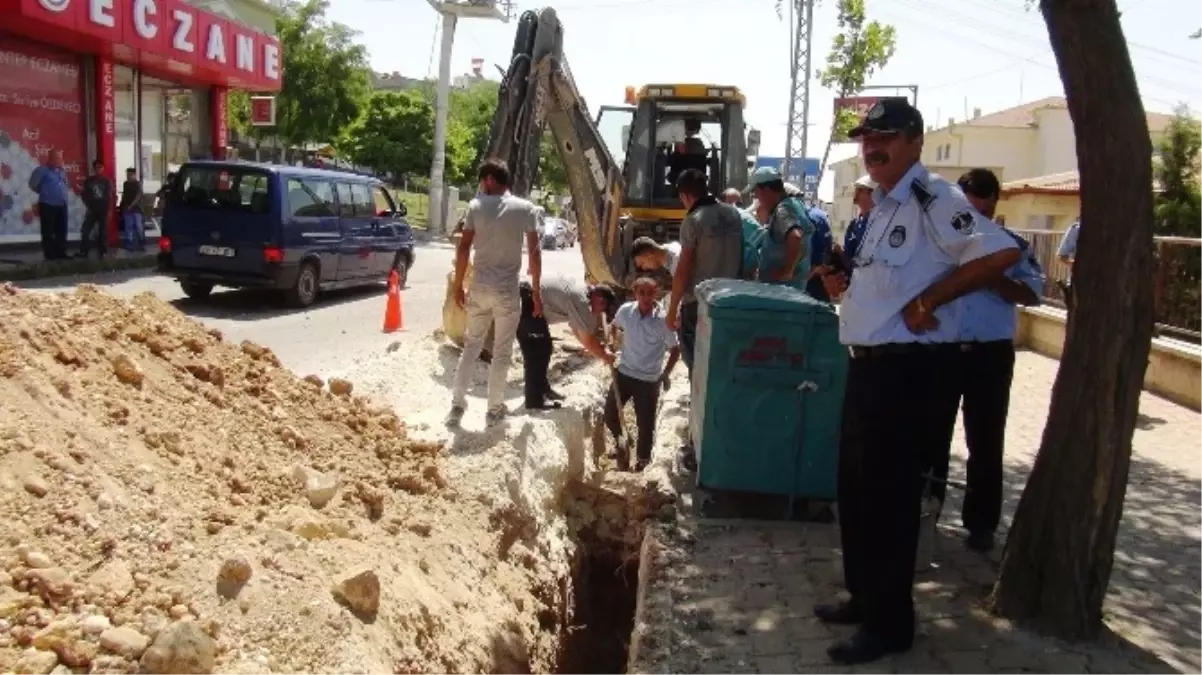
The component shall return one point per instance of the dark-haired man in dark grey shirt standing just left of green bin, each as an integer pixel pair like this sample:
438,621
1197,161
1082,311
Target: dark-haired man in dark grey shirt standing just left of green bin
711,248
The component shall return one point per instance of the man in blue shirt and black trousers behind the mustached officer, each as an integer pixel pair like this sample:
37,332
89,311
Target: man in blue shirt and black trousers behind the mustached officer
986,371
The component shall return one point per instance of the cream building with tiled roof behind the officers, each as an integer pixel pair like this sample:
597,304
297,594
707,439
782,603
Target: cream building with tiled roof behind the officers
1032,148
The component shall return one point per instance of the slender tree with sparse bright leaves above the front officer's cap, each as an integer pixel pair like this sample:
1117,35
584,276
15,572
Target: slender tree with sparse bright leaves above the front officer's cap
860,49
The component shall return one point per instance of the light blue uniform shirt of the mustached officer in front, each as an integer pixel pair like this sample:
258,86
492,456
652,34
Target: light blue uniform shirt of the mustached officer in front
919,234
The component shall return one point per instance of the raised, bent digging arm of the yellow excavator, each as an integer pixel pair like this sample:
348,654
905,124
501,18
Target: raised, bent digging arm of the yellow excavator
539,92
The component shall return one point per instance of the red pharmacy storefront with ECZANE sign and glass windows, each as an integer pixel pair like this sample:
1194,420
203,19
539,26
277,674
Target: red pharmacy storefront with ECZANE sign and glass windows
134,83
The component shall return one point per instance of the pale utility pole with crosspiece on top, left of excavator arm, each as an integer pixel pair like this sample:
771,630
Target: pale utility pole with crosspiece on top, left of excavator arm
453,11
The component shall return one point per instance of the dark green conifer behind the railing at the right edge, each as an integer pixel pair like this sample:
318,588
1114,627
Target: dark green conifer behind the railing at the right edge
1180,202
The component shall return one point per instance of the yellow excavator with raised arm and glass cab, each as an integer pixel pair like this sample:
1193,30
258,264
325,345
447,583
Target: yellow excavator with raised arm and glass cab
660,132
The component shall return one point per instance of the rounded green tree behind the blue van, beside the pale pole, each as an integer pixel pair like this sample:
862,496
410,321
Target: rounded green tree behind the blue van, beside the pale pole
395,135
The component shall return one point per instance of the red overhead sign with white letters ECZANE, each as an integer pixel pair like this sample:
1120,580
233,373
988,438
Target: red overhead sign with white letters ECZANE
170,39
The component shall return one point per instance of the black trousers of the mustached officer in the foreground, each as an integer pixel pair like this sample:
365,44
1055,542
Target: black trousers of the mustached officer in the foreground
895,419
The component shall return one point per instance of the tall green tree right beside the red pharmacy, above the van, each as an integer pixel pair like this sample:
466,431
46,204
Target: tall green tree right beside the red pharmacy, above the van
326,80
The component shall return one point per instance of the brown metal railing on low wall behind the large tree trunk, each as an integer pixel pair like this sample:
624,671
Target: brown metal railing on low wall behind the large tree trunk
1179,280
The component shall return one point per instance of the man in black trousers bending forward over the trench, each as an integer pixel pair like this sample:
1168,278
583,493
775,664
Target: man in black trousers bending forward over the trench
564,301
